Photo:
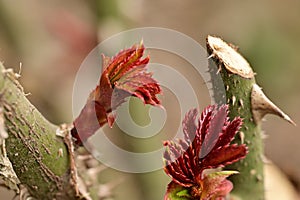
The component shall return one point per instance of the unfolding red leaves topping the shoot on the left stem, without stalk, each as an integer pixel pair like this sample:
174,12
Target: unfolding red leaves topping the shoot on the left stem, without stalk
126,73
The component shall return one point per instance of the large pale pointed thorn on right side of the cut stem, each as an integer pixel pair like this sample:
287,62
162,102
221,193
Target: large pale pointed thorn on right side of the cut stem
261,106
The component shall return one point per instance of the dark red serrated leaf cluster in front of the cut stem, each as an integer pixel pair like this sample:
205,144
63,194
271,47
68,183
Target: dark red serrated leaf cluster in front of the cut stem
206,145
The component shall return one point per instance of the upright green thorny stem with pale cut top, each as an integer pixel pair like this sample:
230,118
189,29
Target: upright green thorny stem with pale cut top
238,80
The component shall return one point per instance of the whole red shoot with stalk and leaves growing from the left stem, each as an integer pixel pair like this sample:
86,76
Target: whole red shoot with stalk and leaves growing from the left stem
124,75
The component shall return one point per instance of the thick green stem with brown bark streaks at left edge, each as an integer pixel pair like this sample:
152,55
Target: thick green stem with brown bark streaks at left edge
39,158
